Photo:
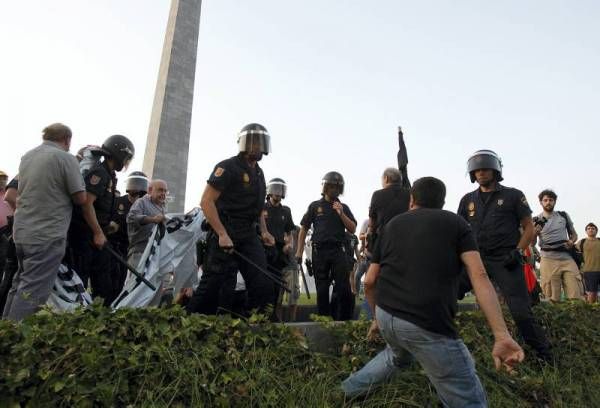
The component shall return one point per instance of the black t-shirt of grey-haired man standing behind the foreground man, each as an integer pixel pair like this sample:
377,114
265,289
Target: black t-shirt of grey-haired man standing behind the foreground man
387,203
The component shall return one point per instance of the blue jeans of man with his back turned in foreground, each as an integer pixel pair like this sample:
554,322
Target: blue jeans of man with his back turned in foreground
446,361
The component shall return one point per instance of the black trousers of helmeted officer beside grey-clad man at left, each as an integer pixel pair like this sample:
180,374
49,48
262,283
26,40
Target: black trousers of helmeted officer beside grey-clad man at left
93,265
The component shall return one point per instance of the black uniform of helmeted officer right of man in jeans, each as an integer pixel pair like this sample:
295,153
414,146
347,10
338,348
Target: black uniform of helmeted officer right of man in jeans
495,218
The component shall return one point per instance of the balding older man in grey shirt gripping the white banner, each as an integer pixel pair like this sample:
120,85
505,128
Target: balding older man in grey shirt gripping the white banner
143,215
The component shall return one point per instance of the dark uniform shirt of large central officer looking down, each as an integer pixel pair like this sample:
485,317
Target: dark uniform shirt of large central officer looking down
243,191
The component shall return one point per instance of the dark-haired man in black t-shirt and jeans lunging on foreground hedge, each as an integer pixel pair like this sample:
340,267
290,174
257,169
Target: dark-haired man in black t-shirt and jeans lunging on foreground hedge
411,286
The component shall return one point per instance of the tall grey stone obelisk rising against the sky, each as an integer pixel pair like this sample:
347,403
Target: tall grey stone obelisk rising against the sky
168,141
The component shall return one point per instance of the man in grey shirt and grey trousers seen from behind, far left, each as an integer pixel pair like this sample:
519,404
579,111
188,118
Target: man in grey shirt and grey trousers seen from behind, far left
49,184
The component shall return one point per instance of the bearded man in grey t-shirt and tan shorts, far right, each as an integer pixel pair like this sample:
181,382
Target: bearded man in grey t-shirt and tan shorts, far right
557,236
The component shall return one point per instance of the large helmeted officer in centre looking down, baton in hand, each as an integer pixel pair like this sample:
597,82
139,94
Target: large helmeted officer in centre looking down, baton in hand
233,202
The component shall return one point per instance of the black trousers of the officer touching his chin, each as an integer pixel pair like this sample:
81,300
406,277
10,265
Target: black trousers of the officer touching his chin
330,265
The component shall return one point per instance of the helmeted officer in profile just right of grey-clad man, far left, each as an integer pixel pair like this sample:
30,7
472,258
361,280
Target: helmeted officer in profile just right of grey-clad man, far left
90,223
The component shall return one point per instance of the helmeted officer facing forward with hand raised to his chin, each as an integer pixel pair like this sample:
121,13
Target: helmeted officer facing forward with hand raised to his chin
329,219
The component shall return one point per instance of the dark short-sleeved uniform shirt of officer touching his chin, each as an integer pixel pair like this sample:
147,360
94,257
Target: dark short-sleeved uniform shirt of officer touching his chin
327,224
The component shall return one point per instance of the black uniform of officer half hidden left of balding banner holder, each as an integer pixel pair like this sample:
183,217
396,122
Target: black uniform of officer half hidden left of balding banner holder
120,242
